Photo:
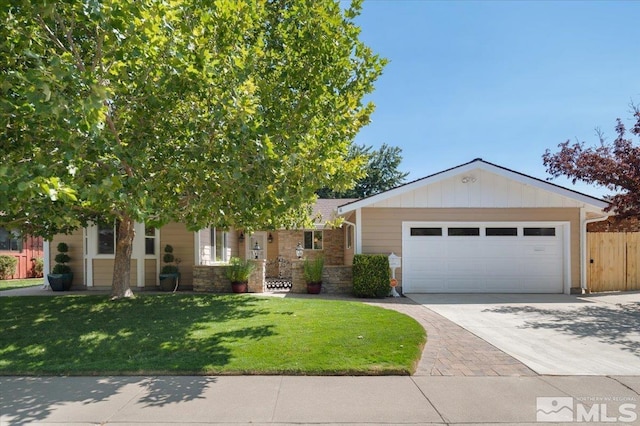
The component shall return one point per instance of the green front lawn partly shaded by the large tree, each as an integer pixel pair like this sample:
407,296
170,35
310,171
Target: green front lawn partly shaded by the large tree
204,334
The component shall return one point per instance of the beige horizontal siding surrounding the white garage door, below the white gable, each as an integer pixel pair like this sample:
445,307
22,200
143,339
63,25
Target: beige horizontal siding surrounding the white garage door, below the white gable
382,227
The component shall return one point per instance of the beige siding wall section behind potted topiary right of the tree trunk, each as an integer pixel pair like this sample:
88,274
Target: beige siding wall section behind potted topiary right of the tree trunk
183,242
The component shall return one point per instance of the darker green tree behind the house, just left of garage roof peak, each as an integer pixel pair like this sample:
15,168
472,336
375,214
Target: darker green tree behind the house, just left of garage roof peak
380,172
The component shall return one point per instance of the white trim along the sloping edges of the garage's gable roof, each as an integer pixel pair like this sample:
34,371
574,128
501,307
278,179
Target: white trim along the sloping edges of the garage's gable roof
475,164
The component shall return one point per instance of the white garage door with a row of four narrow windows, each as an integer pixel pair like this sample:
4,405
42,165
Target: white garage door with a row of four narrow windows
488,257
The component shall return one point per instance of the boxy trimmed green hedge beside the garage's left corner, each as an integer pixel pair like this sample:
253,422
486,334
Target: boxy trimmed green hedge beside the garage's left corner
371,275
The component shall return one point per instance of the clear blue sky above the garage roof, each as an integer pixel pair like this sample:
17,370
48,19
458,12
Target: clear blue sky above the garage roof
499,80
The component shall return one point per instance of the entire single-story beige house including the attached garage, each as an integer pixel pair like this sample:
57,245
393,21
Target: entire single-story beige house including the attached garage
477,227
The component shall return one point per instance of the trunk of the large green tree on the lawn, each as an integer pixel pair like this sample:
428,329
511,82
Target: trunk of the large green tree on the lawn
121,285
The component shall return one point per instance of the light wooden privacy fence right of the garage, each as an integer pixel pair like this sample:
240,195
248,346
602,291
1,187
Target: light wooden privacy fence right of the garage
614,261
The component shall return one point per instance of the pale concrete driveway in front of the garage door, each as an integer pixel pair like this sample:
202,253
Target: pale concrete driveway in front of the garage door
552,334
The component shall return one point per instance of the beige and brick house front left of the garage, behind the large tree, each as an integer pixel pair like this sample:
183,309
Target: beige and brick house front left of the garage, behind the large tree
92,249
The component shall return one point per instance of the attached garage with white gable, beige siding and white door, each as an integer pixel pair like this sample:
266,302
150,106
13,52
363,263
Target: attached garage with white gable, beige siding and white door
479,228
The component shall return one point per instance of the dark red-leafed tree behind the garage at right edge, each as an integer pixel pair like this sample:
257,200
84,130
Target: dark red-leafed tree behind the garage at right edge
615,166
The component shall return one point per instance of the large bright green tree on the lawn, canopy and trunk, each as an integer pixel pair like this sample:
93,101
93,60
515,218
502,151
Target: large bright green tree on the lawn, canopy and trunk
222,113
